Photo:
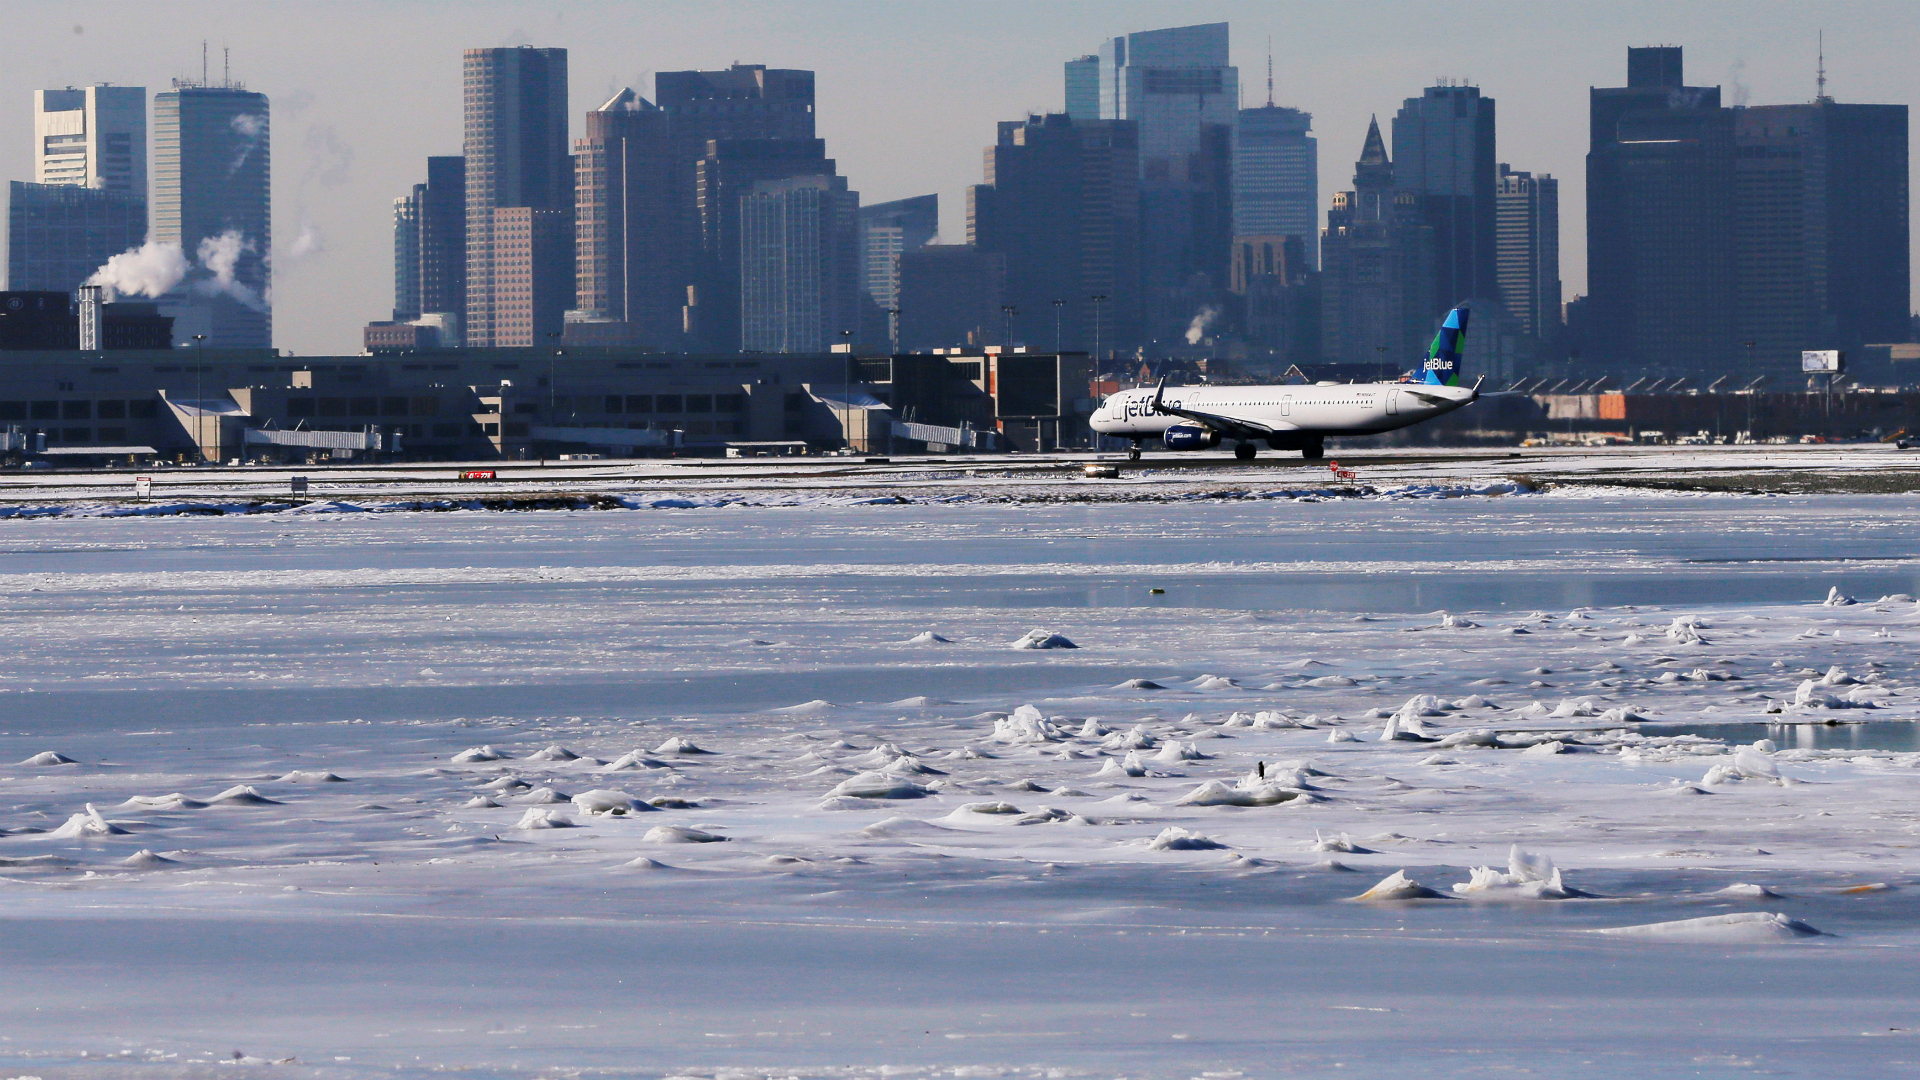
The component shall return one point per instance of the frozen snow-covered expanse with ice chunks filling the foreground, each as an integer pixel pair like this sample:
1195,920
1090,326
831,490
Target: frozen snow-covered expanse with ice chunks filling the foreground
773,793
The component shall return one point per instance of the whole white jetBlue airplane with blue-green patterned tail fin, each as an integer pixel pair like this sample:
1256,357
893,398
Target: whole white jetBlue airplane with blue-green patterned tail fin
1291,418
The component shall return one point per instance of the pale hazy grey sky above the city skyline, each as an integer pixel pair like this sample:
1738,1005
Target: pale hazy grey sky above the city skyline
907,91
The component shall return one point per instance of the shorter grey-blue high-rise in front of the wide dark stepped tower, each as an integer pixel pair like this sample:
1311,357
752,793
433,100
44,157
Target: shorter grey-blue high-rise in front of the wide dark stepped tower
800,264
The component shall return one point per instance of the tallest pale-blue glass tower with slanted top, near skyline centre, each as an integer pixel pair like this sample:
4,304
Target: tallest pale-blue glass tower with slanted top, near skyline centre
1184,97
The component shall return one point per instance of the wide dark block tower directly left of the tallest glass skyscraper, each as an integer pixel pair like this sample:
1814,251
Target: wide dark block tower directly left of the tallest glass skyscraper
1063,205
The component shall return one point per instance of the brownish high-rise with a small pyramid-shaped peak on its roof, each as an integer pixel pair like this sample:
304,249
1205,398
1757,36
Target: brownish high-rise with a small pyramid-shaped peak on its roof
631,243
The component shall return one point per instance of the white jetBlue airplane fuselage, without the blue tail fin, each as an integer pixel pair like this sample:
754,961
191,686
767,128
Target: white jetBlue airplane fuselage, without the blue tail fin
1297,416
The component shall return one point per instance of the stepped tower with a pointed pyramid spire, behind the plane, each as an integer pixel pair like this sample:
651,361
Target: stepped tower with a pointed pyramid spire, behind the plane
1378,268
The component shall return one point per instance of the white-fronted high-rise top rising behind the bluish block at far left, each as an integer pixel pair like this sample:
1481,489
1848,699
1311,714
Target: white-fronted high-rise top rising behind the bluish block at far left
91,137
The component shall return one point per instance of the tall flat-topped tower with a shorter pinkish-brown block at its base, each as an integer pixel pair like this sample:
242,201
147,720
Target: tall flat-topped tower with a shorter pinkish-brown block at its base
517,162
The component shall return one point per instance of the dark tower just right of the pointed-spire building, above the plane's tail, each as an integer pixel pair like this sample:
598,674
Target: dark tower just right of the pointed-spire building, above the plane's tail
1445,157
